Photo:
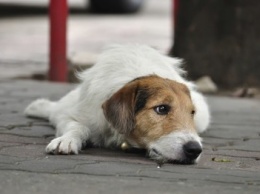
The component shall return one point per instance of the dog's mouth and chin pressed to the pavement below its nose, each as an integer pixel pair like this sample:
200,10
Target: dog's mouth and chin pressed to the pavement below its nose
161,159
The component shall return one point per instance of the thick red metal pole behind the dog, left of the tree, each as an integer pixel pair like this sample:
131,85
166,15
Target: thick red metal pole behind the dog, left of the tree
58,12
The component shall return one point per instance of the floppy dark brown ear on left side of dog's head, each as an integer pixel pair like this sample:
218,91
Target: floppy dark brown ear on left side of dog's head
119,109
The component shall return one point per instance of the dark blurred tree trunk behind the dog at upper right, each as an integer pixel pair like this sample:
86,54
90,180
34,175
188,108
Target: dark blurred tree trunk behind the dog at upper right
219,38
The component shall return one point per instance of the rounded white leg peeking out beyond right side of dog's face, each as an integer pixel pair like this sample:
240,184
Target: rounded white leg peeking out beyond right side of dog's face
202,115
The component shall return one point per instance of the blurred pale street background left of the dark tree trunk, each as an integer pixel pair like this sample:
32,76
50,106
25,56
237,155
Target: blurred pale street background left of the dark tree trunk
24,32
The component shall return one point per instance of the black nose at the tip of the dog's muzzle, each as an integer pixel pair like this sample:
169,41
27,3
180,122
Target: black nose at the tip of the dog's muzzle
192,150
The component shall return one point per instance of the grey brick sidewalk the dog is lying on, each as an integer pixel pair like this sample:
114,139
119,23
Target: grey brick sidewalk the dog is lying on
230,162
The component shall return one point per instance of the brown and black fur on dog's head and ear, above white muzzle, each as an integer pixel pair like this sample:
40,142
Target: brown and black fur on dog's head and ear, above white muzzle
131,109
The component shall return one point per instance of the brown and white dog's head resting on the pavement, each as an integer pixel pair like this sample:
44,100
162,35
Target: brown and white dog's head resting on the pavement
156,114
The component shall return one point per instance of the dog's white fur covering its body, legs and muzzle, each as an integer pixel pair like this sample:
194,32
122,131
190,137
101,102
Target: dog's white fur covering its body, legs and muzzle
79,117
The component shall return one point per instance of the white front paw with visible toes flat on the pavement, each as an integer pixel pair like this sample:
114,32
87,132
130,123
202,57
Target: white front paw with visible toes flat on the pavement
64,145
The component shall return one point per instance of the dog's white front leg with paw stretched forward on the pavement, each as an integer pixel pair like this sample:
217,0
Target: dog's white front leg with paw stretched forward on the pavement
70,137
